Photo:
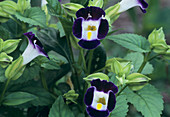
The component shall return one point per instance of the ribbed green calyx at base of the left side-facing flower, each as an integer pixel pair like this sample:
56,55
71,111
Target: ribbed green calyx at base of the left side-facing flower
15,70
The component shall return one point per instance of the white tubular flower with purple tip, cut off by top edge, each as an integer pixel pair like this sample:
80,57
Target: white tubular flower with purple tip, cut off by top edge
127,4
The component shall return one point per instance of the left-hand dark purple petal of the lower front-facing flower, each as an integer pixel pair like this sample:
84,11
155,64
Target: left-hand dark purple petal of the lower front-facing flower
88,98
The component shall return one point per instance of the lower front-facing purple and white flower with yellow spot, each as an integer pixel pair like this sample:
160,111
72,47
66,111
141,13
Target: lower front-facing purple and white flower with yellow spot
100,98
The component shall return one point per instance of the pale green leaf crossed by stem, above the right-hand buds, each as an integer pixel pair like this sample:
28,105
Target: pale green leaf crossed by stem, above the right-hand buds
137,59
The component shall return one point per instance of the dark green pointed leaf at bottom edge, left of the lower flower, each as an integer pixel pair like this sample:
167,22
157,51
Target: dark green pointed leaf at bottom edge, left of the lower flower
60,109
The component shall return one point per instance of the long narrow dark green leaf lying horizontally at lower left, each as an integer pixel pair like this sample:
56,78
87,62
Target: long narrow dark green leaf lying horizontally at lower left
17,98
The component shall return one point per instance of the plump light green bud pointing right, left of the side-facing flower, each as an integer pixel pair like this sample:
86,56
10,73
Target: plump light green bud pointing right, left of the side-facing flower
10,45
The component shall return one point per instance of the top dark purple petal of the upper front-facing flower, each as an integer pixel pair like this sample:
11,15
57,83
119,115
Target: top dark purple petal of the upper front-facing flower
95,12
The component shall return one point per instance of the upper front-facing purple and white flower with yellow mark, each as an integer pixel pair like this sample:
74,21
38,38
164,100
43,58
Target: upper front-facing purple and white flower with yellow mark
90,26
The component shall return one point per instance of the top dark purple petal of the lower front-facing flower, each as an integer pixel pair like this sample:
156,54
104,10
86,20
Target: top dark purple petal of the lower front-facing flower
104,85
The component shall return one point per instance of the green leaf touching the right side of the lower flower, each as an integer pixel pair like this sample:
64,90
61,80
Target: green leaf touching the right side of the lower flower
121,108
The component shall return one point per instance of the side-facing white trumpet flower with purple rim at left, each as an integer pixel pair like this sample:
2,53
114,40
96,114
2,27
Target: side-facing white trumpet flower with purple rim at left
33,49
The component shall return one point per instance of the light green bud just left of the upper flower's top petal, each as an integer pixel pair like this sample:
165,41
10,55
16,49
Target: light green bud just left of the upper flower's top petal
72,8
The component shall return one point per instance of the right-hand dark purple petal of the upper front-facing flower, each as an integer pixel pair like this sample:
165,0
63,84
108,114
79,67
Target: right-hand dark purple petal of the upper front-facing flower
103,29
